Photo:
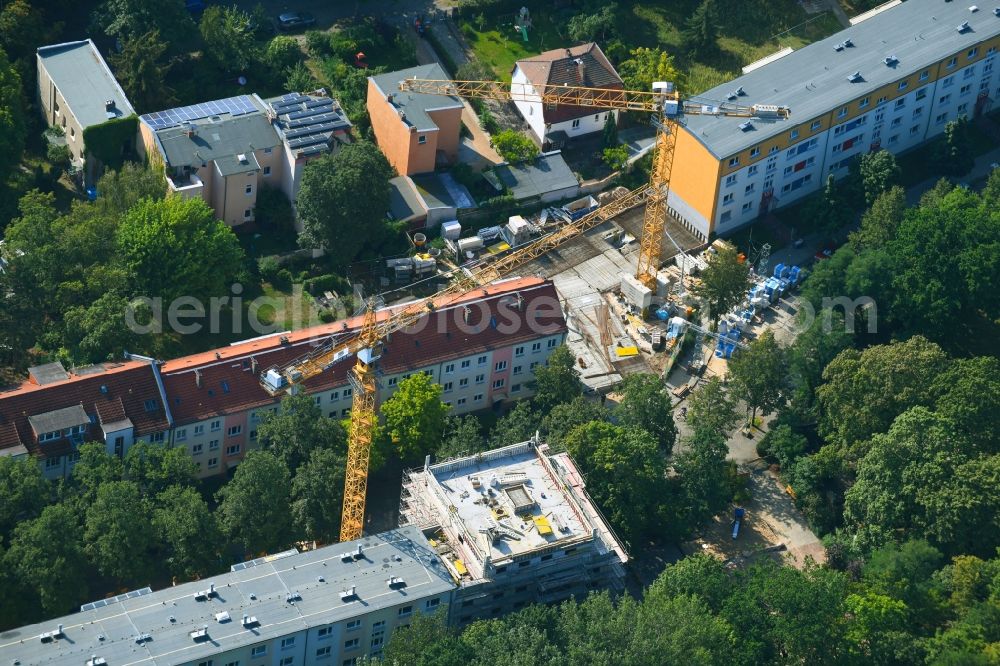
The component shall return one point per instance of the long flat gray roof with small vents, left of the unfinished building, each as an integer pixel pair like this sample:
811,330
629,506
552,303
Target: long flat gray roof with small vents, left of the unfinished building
169,616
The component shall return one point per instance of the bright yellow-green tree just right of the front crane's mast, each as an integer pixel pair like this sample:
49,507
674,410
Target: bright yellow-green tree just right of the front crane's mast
415,417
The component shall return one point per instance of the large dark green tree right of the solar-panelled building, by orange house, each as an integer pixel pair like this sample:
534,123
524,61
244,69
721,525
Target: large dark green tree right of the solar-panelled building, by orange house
333,215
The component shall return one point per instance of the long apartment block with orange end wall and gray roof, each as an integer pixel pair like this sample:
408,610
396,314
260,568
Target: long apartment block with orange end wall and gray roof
892,80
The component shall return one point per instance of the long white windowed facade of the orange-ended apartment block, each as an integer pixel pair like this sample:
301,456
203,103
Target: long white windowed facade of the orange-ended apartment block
895,125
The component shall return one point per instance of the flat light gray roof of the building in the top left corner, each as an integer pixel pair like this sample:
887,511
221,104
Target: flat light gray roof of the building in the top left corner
84,80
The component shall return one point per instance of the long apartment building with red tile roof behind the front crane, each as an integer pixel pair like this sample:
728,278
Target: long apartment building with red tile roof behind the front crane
483,349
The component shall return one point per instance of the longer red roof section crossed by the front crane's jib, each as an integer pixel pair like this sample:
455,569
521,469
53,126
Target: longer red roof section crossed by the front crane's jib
230,385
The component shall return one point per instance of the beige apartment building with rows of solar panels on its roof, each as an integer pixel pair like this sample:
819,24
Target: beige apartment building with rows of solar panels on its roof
225,150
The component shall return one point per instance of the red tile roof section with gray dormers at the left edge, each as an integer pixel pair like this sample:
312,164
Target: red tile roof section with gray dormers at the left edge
129,384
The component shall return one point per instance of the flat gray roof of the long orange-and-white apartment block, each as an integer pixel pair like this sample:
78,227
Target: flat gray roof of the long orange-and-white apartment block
814,80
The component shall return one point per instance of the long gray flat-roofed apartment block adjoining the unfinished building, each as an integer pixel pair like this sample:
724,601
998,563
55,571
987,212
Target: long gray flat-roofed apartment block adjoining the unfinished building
325,607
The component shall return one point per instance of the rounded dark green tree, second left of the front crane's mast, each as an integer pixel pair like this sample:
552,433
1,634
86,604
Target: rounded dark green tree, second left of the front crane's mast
255,506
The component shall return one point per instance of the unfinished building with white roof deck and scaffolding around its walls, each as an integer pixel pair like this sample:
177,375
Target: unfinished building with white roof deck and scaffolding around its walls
514,526
